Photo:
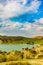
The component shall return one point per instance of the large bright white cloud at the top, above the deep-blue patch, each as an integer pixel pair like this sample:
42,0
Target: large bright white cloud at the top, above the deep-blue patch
15,8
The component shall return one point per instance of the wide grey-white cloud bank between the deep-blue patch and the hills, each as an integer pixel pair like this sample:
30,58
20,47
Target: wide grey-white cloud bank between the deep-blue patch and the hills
21,29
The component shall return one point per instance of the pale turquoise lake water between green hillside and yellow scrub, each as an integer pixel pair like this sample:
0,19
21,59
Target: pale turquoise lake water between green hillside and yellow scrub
13,47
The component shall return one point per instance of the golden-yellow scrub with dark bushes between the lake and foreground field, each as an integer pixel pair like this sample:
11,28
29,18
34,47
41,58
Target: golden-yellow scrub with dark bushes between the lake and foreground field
24,54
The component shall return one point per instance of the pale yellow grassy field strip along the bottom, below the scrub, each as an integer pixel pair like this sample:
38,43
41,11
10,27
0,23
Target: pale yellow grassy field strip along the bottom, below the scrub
24,62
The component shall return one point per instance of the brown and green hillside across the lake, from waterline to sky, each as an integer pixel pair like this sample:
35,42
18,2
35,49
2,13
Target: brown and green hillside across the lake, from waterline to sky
10,39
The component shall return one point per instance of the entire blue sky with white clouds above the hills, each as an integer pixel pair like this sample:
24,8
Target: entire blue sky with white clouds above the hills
21,18
